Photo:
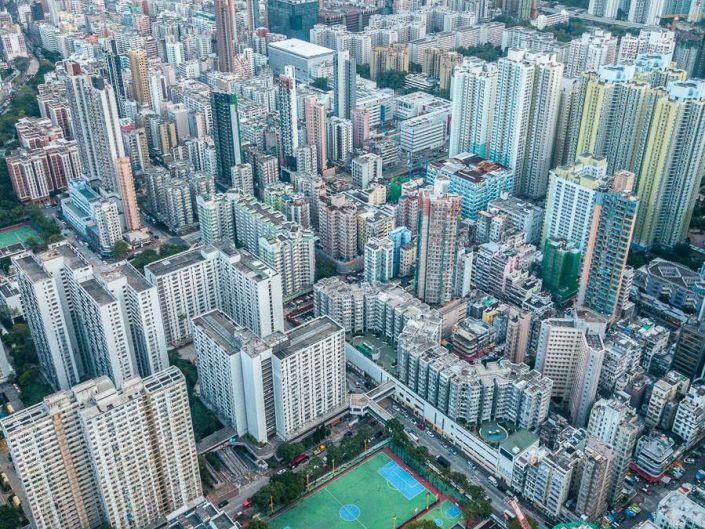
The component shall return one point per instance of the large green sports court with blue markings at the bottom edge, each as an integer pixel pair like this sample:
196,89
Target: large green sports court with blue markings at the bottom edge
367,497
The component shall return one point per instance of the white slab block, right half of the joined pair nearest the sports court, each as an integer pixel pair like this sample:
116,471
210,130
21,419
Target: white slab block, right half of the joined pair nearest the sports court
308,370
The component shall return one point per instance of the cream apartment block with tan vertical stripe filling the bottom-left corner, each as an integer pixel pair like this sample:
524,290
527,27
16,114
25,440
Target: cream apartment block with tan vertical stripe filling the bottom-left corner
64,450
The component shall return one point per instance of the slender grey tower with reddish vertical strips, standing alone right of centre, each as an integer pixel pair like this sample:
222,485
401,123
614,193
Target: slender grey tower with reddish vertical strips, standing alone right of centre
439,211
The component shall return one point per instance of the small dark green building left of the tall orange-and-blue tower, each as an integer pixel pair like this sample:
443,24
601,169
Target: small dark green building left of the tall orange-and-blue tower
561,268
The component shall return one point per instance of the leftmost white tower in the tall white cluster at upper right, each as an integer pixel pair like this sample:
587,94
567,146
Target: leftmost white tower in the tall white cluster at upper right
474,90
